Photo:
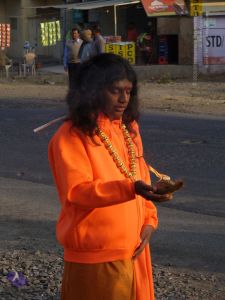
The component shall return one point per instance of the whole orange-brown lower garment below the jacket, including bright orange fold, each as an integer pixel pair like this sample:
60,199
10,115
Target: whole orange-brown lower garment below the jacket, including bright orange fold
118,280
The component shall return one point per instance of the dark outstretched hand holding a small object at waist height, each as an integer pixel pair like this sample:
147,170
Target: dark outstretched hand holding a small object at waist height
149,193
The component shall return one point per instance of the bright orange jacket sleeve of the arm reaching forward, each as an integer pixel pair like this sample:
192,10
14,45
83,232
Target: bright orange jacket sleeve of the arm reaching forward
74,178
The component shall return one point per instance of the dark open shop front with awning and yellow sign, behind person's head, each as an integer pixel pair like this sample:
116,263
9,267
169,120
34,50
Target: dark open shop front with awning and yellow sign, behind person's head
146,32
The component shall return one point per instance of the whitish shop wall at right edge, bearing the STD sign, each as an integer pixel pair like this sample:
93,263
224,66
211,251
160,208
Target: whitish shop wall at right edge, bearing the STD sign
209,32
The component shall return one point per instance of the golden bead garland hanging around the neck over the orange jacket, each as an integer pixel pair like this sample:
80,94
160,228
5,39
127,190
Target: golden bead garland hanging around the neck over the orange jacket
131,173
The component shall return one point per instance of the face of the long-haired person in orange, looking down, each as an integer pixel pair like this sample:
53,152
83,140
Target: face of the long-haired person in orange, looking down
117,98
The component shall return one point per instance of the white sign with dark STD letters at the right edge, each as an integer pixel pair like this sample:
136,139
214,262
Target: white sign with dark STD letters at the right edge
214,46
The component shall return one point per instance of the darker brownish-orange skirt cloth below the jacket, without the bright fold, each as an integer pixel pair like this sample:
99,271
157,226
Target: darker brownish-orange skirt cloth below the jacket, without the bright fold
102,281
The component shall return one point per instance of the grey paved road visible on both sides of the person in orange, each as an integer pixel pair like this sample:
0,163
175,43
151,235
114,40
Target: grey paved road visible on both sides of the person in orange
192,230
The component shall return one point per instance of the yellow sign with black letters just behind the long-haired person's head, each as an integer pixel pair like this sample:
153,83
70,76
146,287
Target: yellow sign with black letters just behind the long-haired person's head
126,50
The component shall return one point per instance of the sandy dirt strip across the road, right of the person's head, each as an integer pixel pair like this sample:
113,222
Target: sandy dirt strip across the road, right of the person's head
185,97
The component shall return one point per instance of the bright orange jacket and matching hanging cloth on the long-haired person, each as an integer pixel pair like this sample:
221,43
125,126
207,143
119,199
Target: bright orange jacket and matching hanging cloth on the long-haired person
101,216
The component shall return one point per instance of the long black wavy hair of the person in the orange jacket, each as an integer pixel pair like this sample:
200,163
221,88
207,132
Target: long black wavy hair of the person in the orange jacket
86,99
